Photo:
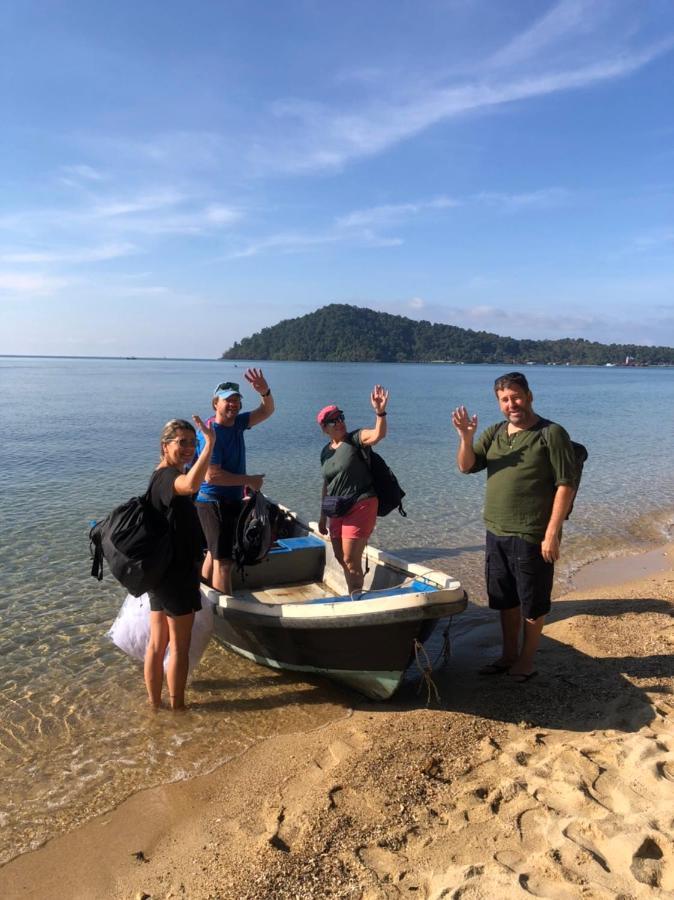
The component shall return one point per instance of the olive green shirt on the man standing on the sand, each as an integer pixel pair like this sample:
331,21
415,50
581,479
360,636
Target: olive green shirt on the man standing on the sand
524,470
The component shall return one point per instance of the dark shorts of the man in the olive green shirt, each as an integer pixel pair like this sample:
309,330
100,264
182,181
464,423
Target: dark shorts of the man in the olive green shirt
517,575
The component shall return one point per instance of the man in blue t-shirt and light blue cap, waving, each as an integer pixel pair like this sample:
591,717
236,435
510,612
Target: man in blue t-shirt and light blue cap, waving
220,496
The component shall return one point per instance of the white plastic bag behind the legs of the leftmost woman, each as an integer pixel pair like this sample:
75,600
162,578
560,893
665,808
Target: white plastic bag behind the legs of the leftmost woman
131,630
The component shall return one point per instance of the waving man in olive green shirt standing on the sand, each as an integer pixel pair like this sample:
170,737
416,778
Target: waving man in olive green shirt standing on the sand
531,476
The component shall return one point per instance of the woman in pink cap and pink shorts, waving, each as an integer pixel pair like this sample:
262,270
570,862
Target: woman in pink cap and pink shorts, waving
348,499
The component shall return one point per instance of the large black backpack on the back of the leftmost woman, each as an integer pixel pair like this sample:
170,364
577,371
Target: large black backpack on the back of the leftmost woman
136,541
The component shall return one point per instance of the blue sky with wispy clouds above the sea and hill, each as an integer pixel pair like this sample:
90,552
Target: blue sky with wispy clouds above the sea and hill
175,176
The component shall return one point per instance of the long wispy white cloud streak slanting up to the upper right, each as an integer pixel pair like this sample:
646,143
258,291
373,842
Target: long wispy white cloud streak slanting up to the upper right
321,137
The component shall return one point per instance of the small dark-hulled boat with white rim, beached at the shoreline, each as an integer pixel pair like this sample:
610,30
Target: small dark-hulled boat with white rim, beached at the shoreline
292,611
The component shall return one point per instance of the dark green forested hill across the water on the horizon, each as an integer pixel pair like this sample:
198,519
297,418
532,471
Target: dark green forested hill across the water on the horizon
342,333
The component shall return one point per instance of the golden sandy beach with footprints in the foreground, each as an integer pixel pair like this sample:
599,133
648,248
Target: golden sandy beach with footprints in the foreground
560,788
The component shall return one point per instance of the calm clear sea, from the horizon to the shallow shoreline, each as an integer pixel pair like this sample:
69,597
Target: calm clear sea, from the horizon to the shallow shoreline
75,736
